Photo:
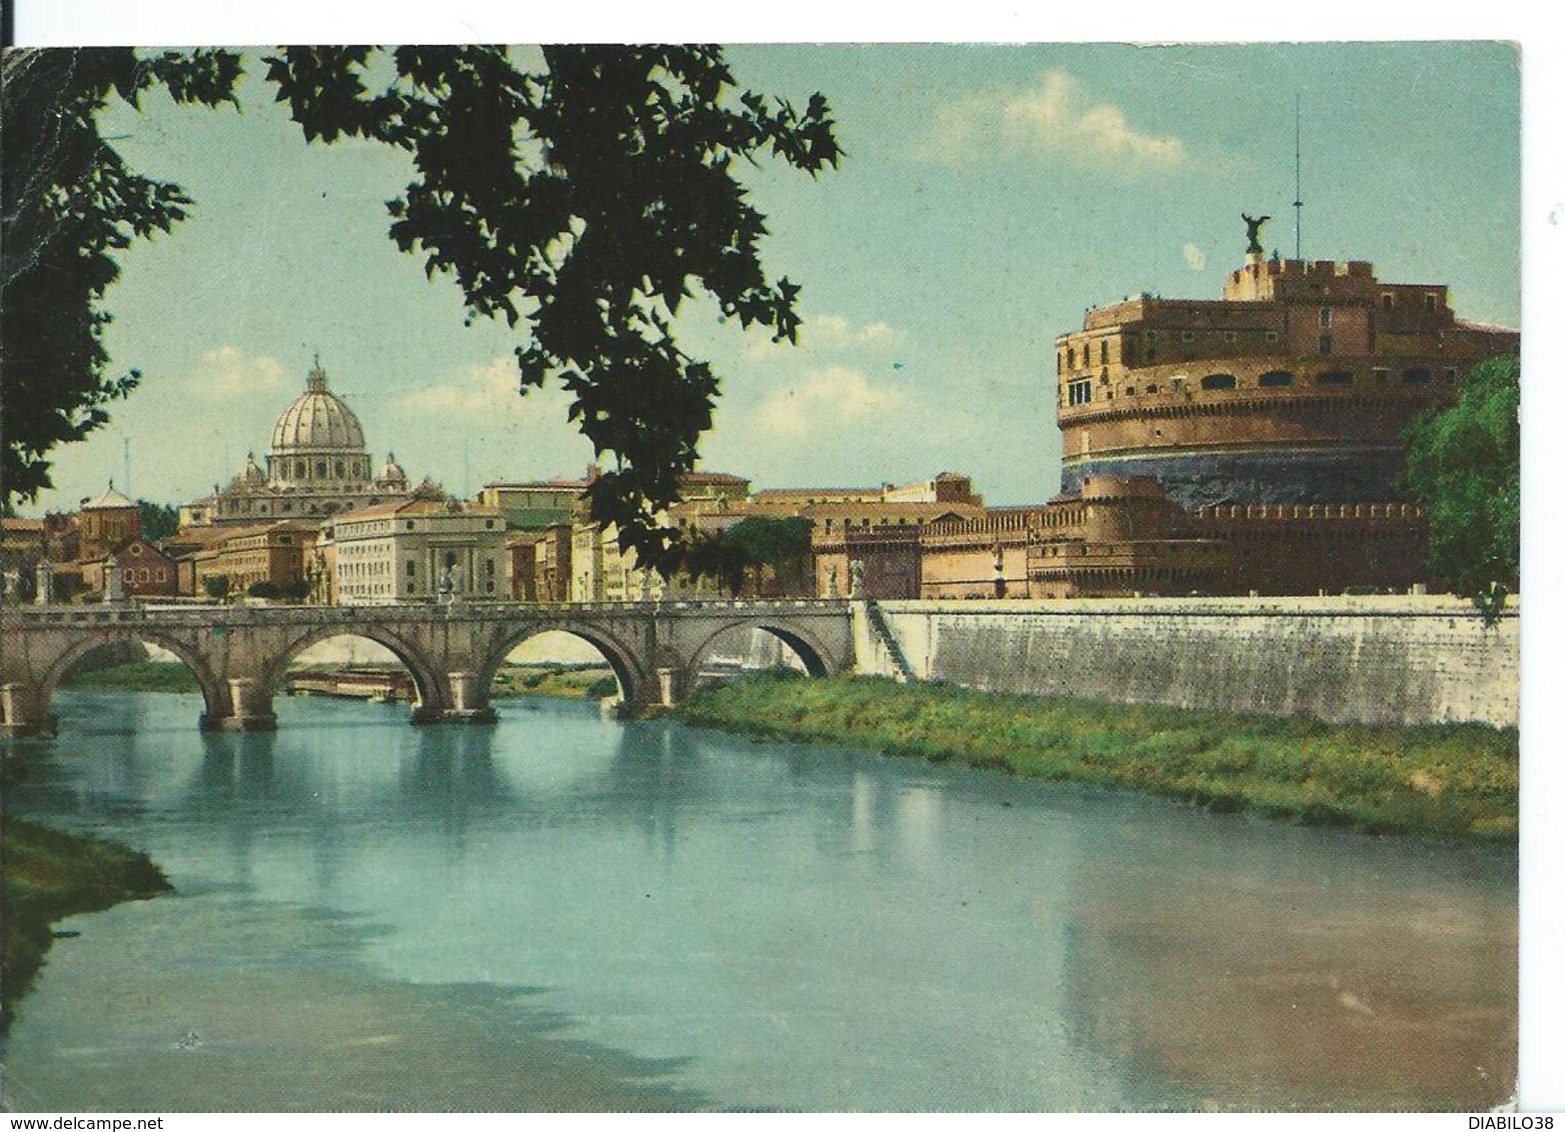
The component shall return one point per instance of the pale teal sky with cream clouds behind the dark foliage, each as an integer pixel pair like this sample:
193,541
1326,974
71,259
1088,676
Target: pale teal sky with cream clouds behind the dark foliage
988,196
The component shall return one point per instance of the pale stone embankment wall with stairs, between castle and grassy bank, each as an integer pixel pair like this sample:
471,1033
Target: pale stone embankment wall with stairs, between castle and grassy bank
1373,660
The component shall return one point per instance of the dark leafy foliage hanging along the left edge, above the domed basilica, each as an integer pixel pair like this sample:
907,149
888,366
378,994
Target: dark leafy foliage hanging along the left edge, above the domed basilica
70,206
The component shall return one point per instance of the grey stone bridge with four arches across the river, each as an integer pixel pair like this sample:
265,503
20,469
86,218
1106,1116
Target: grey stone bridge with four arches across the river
242,654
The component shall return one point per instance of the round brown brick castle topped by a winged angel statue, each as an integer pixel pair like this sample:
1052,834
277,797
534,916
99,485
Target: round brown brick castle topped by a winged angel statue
1247,444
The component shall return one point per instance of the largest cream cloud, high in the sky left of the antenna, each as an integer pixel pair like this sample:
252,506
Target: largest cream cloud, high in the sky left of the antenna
1054,118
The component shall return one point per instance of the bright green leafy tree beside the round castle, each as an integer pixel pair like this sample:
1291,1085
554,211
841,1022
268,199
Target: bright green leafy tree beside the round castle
1464,466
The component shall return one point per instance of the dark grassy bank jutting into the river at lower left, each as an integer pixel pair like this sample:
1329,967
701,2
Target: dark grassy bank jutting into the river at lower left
48,876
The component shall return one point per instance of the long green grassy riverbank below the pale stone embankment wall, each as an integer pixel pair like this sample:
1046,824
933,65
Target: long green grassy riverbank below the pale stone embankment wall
1458,781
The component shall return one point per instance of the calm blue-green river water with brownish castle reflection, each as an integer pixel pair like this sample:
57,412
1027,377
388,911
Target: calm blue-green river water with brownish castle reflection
566,912
